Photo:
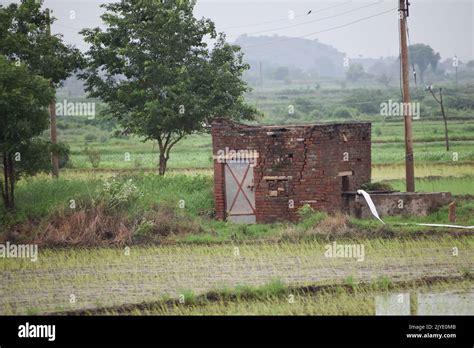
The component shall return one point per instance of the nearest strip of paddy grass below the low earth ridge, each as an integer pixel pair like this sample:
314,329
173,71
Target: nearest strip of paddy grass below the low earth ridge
332,300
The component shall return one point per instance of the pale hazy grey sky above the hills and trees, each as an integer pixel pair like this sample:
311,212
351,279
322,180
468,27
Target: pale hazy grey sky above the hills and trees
445,25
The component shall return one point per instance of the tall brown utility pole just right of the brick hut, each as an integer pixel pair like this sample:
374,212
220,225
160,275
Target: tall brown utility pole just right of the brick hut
409,166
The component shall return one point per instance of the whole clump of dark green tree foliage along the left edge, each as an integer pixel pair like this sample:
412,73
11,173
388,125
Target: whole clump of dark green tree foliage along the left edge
33,62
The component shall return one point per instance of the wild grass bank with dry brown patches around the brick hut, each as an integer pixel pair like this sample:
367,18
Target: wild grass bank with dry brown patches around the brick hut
180,208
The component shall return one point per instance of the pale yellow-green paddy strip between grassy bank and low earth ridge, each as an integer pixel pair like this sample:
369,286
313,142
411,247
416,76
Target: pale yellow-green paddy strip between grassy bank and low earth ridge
112,277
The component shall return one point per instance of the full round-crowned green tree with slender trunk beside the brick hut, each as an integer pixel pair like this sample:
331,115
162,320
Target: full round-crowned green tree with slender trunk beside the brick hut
153,68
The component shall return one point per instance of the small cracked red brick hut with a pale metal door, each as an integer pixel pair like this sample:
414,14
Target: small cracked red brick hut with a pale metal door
265,173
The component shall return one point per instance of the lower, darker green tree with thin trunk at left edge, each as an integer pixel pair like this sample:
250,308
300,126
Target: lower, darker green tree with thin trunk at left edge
24,97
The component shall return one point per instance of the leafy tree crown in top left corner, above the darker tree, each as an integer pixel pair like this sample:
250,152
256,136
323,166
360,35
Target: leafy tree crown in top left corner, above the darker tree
25,38
